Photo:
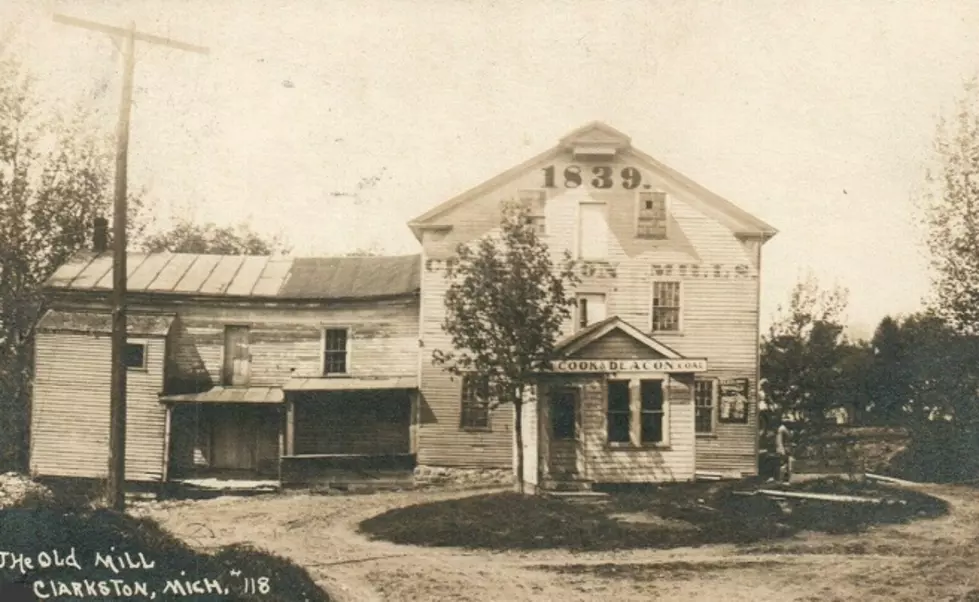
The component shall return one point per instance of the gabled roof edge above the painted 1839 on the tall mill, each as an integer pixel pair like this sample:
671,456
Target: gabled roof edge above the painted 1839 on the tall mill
597,133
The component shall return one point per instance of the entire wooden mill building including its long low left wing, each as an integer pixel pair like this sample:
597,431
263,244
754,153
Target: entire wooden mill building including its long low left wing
286,367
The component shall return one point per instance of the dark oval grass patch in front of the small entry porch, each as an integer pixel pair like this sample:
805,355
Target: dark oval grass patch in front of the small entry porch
669,516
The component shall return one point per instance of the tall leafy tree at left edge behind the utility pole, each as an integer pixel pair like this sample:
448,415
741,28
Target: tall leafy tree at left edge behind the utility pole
55,178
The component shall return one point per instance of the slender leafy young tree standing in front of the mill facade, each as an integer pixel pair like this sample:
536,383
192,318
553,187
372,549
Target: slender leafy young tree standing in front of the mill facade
505,305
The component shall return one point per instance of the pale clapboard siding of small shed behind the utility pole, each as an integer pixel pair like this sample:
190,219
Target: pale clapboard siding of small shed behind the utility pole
70,411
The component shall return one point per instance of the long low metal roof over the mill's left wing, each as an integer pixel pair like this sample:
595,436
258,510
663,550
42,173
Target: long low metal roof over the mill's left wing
319,278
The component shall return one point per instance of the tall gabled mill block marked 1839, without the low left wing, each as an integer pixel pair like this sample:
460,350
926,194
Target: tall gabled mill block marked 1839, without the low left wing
659,373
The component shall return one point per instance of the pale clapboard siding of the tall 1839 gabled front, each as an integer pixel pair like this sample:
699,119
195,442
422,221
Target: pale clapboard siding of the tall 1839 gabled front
719,314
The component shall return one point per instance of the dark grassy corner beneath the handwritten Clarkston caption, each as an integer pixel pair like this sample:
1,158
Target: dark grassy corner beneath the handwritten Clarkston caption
40,533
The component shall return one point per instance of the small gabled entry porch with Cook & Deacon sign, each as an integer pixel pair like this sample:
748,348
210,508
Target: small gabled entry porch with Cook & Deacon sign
614,407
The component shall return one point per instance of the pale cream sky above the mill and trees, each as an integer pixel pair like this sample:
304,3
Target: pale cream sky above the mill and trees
334,123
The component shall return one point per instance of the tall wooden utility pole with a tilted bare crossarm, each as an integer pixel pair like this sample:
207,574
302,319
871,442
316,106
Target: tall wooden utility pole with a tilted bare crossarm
117,395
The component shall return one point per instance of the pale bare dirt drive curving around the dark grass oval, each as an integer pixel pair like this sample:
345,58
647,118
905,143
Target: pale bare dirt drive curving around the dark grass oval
934,559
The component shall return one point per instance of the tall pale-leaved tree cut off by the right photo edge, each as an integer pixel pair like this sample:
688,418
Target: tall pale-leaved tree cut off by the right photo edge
951,215
